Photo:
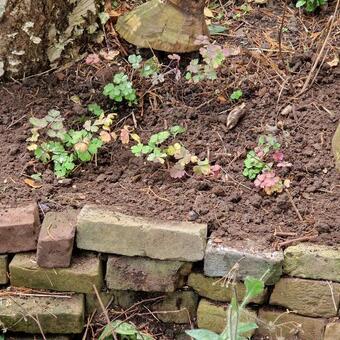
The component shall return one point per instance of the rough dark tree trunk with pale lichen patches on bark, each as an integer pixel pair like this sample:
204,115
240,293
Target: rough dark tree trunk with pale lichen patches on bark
36,34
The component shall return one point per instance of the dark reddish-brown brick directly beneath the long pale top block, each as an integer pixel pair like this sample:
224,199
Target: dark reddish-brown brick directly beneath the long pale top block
144,274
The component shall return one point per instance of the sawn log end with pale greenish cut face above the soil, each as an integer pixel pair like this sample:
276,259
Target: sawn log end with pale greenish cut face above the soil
166,25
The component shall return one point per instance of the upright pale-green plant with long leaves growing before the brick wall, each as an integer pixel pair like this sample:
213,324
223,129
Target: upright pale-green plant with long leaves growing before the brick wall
234,330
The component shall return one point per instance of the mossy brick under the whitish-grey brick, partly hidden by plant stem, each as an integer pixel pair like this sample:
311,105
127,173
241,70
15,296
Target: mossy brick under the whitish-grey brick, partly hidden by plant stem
212,288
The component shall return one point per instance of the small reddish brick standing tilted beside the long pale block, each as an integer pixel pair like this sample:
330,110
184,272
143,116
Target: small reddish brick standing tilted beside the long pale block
55,243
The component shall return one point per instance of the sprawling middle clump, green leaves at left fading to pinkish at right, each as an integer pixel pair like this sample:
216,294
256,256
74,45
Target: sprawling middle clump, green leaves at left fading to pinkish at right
178,157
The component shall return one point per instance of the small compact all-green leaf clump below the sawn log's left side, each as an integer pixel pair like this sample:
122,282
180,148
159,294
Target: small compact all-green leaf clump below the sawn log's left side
121,89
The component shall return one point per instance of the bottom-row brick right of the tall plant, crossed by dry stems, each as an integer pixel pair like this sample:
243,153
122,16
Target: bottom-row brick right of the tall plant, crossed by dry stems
289,326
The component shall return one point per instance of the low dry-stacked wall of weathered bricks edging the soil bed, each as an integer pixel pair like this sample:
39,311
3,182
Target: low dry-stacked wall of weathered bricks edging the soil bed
60,262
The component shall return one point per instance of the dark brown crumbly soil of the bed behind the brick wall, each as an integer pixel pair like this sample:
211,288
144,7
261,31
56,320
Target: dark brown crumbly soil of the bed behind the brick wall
235,211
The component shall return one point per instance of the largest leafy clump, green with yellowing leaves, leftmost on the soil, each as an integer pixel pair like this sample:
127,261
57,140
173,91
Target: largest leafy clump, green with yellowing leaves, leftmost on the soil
51,142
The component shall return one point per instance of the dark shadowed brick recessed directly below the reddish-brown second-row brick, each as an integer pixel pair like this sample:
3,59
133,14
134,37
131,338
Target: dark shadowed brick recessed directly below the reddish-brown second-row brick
178,307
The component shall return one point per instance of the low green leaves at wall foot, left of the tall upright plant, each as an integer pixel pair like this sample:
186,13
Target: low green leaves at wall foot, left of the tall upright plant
125,331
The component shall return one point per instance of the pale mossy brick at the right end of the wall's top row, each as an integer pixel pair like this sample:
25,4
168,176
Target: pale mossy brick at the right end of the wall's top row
312,261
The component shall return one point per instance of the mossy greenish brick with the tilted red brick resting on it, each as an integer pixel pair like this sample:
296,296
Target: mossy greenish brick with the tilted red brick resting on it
85,271
